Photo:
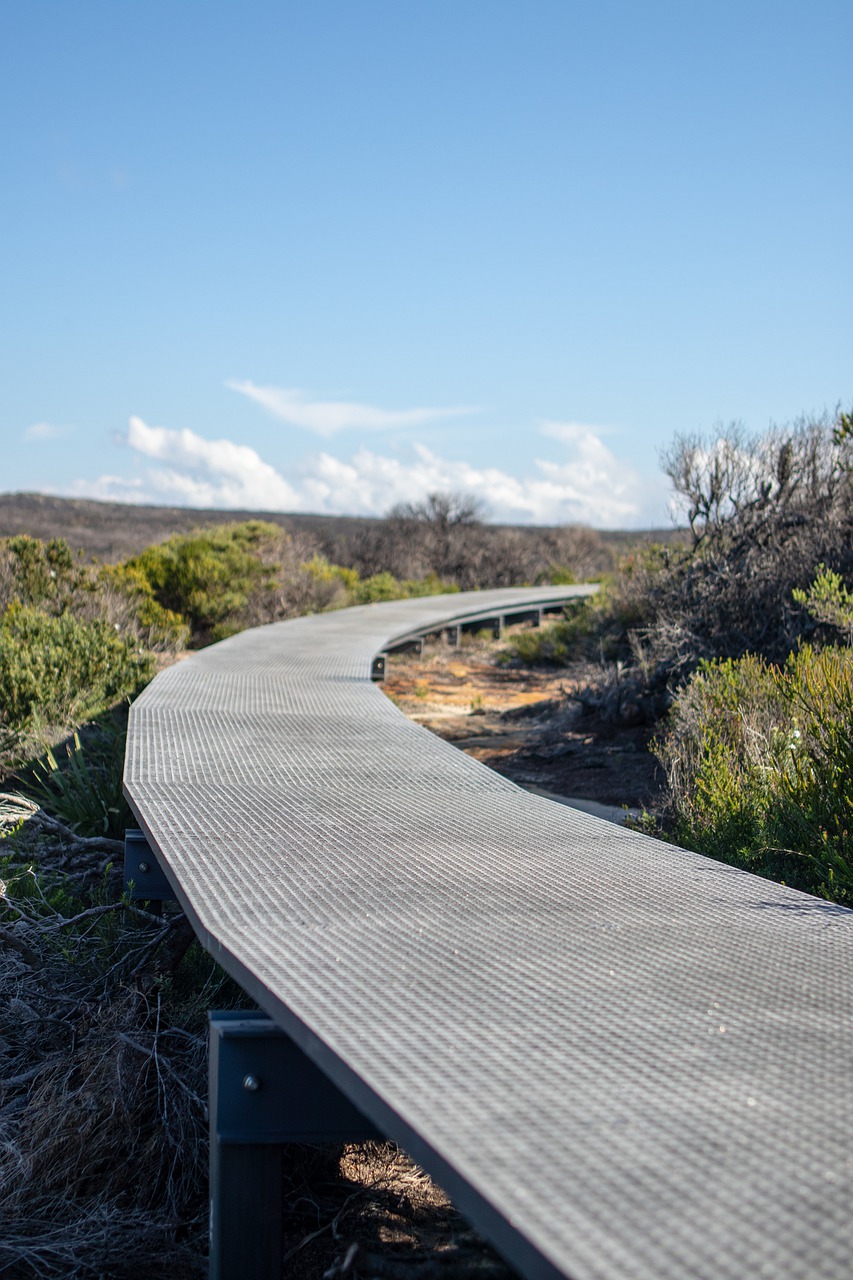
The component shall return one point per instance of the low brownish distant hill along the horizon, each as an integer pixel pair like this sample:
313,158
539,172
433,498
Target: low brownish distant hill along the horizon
115,531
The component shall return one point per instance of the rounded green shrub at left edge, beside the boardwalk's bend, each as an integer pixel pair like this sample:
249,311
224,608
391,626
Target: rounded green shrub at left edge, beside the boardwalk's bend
57,671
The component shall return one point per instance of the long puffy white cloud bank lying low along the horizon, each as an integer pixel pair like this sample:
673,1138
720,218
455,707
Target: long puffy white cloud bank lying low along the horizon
589,486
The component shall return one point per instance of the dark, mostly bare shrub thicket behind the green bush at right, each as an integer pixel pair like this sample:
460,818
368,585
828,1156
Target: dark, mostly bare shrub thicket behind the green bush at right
767,513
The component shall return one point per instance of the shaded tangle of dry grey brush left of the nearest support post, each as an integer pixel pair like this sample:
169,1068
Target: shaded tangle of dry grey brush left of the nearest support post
103,1073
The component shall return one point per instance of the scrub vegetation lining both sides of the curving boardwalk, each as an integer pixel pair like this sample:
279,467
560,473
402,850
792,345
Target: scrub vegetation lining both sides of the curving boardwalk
732,644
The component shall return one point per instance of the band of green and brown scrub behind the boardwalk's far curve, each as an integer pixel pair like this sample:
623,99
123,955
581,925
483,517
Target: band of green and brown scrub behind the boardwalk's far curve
77,638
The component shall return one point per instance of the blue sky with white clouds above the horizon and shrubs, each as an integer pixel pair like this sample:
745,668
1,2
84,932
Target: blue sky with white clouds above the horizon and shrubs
327,257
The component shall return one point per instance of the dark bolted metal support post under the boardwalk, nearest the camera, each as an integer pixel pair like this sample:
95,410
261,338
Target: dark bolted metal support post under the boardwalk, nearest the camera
264,1092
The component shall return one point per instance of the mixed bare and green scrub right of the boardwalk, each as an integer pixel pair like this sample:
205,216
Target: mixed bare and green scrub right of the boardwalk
737,648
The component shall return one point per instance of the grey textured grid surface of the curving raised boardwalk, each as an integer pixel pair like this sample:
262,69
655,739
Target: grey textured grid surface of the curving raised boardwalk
623,1060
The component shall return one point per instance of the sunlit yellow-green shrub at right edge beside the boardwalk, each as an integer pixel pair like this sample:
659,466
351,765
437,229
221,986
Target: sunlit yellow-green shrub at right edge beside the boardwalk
760,766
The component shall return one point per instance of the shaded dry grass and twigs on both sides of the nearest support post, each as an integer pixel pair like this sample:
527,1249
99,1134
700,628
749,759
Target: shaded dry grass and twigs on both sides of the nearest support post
103,1092
